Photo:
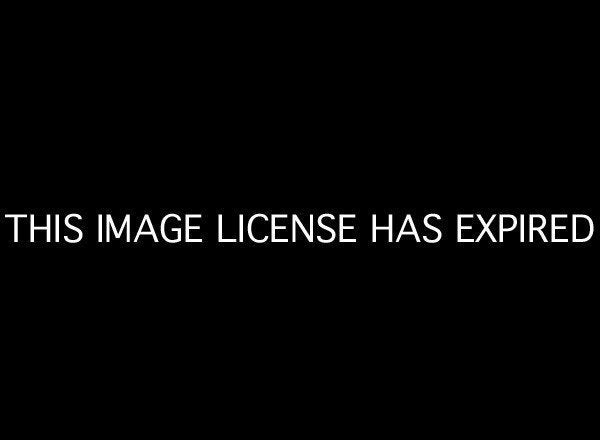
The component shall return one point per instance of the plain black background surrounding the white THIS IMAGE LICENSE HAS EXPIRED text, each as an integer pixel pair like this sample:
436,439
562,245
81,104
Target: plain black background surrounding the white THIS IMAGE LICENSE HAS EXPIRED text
368,113
